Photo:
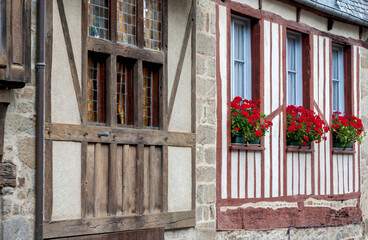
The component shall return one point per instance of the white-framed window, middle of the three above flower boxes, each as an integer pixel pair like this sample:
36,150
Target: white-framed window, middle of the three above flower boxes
294,69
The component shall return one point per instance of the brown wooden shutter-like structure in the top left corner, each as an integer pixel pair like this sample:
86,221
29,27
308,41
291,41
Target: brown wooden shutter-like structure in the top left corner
15,59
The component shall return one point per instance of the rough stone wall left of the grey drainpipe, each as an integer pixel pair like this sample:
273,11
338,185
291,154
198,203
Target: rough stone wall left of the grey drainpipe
18,204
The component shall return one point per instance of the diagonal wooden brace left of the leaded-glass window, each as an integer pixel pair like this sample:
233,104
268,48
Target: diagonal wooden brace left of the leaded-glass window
69,49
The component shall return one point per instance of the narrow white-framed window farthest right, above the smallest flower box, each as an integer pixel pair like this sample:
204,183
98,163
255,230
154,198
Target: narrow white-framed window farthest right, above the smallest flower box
338,78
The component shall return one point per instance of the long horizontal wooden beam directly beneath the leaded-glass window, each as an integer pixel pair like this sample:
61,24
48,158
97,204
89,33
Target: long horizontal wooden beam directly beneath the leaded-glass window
103,134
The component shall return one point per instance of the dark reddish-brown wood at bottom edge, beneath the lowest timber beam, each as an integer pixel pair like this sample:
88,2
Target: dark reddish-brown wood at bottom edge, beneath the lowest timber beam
147,234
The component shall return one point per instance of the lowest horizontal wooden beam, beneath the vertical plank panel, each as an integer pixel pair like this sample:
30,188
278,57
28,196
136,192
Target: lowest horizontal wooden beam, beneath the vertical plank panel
114,224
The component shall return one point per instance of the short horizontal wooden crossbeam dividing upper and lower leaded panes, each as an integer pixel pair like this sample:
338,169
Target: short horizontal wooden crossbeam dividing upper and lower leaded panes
124,50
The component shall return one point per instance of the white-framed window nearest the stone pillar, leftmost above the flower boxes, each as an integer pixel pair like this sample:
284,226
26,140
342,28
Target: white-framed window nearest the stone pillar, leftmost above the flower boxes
241,68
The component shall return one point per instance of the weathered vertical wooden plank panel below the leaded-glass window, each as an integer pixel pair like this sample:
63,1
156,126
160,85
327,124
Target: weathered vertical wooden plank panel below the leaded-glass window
113,176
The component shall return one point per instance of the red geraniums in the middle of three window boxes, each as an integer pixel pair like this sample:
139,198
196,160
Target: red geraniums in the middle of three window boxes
304,126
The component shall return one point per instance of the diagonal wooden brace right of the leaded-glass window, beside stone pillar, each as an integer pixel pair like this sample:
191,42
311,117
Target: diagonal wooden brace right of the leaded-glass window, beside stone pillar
180,65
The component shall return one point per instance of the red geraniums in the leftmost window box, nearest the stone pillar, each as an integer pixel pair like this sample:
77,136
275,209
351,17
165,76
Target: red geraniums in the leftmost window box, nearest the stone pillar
247,119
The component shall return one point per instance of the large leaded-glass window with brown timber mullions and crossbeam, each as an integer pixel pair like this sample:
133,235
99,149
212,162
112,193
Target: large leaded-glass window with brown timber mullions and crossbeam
136,67
